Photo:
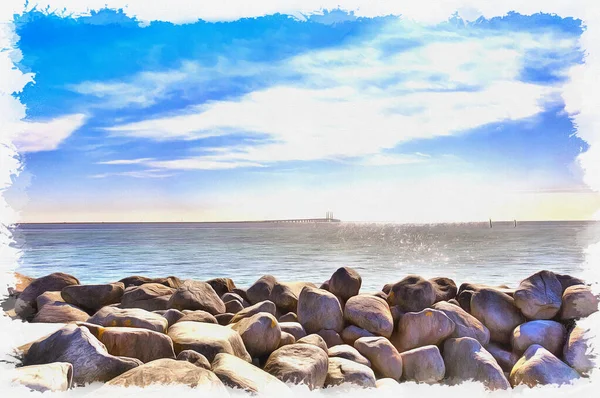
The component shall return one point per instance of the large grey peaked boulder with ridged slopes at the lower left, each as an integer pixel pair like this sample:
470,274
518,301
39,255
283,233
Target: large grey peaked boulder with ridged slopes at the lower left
78,346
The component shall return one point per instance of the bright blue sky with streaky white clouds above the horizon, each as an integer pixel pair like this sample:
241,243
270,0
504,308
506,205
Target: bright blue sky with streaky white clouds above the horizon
375,119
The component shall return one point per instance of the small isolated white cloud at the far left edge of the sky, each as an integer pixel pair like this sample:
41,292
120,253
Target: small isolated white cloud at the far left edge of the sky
47,135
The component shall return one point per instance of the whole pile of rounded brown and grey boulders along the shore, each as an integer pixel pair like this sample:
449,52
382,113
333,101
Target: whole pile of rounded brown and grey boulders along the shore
209,335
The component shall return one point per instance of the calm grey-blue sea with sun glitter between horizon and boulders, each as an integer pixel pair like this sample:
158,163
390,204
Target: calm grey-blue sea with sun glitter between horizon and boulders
97,253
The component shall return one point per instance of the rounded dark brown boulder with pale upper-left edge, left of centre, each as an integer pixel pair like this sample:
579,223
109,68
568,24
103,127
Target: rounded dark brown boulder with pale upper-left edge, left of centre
261,334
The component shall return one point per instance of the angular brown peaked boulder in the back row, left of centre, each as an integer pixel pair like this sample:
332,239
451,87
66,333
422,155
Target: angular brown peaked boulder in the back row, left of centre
195,295
